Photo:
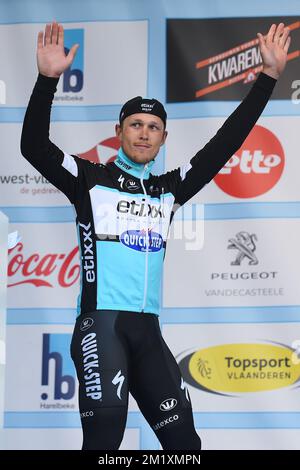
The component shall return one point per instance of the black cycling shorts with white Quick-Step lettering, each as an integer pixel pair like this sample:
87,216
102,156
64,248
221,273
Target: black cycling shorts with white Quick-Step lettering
117,352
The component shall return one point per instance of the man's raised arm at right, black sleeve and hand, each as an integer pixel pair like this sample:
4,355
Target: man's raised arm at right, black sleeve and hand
190,178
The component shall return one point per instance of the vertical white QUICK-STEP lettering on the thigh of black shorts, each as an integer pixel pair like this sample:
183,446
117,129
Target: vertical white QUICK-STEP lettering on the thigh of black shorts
92,378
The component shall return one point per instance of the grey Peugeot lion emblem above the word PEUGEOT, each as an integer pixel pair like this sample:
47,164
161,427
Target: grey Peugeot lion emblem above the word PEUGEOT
244,243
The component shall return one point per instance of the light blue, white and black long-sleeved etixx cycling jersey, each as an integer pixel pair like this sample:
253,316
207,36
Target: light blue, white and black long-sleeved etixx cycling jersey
123,210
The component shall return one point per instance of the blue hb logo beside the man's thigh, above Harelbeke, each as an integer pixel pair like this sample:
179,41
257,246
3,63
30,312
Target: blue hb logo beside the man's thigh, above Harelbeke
57,348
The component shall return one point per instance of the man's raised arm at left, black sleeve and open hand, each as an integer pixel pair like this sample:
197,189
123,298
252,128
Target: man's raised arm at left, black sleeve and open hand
62,170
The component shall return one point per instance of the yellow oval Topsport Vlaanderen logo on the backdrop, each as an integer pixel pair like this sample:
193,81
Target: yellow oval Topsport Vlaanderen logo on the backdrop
234,368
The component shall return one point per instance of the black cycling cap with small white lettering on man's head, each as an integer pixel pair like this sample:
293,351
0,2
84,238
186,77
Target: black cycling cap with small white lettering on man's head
143,105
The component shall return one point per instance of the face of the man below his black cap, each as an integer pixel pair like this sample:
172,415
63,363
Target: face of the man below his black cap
141,136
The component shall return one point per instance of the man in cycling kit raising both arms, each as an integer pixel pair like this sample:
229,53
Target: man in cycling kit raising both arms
123,214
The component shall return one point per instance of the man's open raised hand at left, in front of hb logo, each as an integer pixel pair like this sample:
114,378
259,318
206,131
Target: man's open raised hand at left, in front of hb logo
51,58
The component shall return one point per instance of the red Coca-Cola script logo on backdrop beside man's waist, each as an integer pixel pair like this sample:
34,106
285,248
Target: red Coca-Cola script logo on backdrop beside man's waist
42,270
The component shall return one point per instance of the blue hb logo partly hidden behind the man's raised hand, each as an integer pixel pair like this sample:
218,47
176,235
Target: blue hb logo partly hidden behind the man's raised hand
73,76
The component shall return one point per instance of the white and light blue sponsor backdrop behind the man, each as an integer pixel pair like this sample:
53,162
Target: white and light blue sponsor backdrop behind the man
230,299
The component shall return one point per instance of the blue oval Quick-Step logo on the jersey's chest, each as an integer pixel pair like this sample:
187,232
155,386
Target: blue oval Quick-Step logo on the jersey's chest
137,239
